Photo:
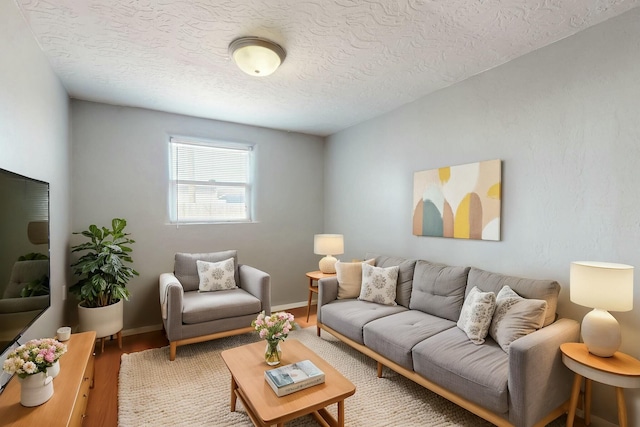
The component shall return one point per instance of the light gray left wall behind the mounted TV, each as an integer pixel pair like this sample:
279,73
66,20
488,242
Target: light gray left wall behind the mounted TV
34,123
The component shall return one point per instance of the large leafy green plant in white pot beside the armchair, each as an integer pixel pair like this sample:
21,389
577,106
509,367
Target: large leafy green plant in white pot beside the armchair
104,273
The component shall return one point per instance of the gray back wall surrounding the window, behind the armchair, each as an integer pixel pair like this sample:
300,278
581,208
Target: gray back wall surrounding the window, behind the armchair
120,169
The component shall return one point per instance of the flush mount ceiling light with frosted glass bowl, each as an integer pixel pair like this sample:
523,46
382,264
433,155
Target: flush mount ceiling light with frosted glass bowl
256,56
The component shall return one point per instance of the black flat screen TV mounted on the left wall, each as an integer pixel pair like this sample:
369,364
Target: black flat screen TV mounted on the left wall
24,254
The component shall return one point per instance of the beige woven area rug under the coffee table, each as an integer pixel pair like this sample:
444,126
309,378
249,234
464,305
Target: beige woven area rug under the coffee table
194,389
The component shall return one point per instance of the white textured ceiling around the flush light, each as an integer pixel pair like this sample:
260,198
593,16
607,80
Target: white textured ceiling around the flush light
347,60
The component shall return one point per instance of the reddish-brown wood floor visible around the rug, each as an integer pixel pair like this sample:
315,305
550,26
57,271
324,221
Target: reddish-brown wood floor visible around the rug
102,408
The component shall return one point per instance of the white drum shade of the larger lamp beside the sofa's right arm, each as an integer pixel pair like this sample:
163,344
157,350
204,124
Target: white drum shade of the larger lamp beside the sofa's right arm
602,285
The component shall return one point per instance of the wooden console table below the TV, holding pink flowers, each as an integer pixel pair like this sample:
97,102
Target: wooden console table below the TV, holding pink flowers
70,390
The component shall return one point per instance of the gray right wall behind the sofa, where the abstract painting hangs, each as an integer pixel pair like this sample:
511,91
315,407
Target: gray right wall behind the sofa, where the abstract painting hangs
565,122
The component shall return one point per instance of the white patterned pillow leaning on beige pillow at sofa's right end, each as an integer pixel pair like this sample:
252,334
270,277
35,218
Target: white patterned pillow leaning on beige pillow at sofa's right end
477,312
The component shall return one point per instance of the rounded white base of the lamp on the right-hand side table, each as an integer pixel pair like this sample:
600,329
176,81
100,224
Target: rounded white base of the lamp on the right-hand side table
601,333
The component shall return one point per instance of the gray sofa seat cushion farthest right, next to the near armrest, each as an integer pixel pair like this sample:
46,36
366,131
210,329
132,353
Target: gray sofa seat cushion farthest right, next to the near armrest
479,373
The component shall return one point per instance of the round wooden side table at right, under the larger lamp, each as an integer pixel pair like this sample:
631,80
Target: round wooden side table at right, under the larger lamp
620,371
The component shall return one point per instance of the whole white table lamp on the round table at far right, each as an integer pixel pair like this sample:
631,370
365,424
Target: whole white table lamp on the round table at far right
602,286
